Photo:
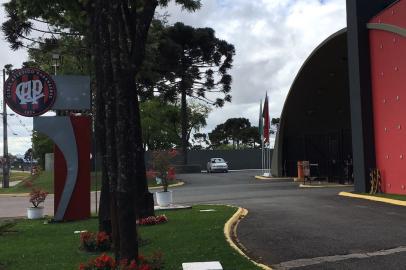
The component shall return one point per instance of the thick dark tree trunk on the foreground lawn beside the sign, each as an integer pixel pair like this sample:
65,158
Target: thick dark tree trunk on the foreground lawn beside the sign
122,35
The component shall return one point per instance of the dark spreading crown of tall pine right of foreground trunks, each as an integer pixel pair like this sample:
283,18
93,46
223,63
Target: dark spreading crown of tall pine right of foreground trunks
195,61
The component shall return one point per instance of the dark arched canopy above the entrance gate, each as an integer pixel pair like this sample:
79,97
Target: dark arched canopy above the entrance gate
318,100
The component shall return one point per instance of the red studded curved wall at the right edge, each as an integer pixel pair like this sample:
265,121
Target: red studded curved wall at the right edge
388,73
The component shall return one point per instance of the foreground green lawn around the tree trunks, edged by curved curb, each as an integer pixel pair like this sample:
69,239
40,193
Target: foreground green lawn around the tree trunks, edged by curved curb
188,236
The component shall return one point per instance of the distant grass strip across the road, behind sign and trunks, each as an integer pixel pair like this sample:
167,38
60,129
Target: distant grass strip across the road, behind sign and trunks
45,181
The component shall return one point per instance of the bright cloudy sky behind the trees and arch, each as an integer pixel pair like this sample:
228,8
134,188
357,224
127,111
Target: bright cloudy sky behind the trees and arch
272,39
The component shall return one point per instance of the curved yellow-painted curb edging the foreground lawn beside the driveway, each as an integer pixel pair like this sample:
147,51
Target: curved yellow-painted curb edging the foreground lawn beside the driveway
230,228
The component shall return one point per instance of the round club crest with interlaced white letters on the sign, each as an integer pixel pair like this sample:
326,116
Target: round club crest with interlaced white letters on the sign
30,92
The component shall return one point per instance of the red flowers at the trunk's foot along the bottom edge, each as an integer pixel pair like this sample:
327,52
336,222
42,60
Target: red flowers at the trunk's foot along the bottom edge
105,262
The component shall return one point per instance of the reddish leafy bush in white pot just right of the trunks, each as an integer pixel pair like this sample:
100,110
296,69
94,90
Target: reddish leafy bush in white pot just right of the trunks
161,167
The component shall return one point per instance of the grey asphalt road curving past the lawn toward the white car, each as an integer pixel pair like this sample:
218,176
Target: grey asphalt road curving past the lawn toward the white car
292,228
